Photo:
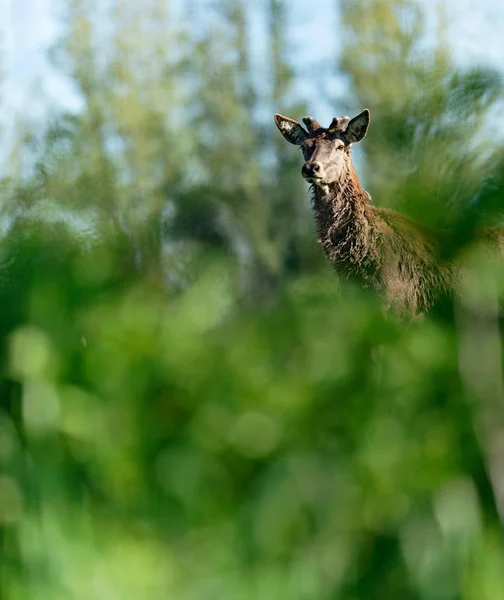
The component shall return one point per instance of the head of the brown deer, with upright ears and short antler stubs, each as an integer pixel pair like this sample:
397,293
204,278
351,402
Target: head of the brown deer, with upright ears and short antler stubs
326,151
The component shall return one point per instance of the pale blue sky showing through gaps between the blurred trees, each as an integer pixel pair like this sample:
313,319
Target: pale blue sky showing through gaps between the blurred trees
29,27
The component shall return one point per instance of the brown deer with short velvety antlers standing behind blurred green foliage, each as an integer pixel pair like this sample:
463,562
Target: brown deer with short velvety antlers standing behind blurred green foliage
378,248
